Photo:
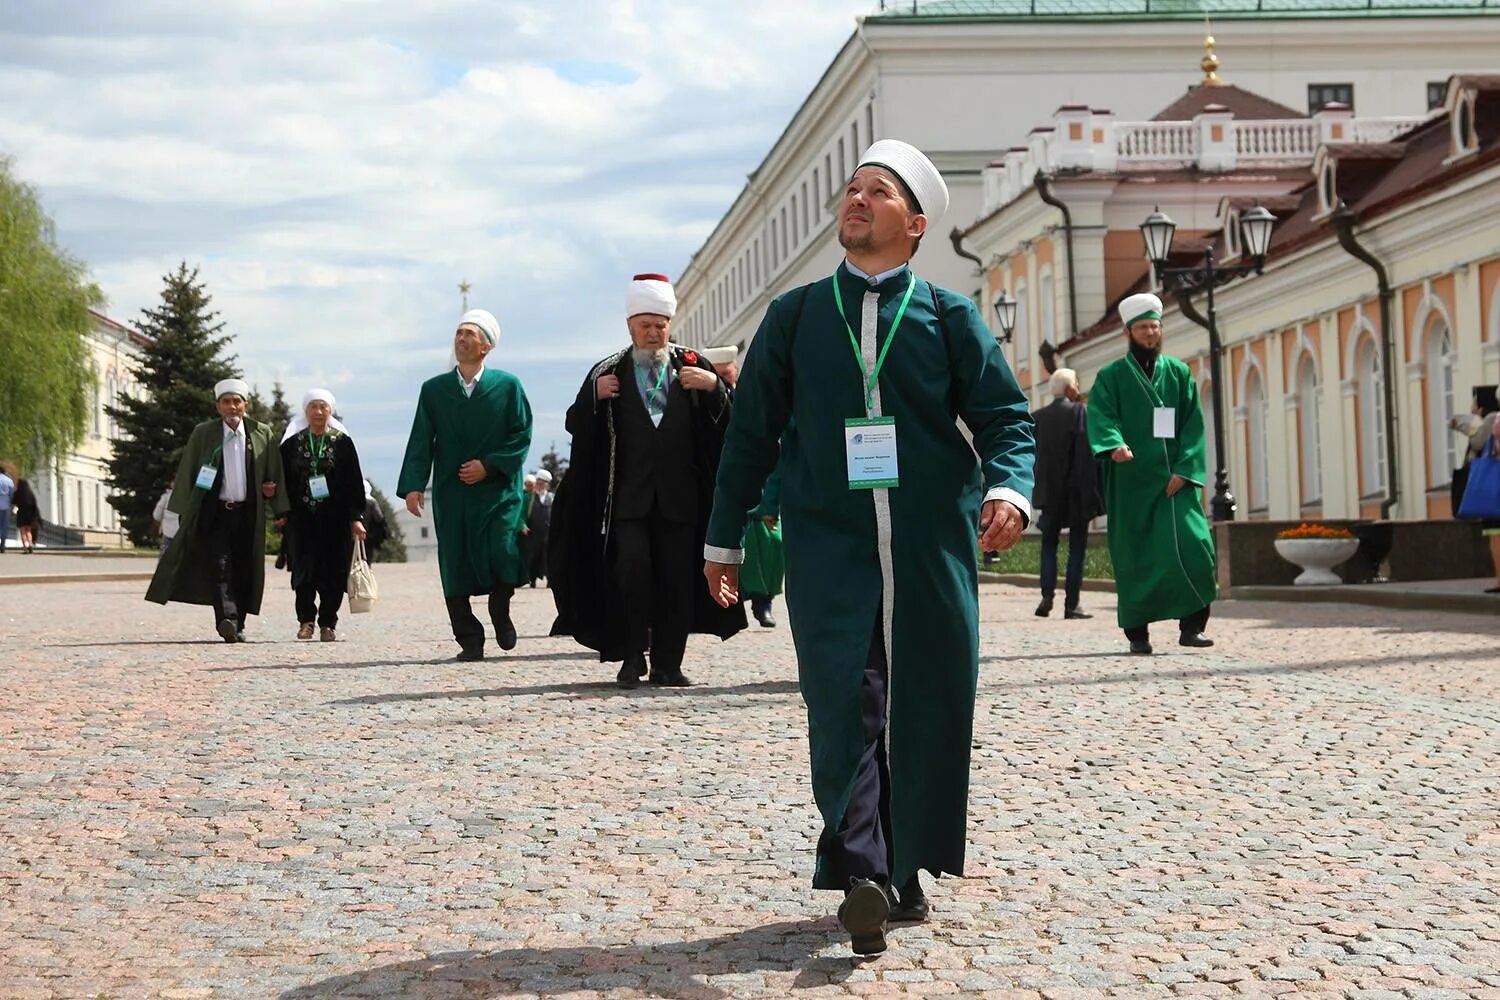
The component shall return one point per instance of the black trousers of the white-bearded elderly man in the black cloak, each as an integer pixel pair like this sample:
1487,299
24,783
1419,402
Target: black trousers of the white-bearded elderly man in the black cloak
658,569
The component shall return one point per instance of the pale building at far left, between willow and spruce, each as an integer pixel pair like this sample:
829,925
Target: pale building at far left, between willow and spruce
74,493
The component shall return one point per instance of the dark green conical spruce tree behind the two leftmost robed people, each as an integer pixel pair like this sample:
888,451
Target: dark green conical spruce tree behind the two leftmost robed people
176,374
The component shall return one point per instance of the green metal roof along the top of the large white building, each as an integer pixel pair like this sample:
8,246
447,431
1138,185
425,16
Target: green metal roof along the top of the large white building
931,11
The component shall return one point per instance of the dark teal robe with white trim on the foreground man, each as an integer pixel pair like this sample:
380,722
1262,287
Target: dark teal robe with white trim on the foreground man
800,377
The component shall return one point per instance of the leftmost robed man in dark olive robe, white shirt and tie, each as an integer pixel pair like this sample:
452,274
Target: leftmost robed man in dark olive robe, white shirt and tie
230,470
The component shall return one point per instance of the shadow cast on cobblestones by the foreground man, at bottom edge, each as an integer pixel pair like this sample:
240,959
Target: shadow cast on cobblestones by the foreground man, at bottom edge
668,969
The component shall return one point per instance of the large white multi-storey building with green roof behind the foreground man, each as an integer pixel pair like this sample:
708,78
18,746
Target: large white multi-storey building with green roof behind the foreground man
967,80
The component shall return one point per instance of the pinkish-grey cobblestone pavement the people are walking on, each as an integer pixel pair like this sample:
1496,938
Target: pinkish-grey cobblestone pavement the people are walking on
1310,809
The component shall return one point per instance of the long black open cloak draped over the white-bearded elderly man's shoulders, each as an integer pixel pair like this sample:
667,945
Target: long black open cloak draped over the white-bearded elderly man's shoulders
581,543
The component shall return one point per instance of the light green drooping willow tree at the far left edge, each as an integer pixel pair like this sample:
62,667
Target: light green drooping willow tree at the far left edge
47,377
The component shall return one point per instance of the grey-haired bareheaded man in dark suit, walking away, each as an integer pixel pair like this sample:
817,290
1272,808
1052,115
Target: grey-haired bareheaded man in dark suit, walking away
1067,490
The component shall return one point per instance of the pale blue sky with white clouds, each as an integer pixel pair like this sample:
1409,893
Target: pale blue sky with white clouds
337,167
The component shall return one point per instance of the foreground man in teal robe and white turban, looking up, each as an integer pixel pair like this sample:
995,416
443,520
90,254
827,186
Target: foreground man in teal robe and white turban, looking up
881,564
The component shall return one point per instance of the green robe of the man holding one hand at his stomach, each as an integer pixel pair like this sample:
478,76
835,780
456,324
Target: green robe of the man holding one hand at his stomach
478,525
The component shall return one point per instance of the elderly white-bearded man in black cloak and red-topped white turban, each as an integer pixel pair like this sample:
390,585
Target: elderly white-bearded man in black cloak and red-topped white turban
629,519
